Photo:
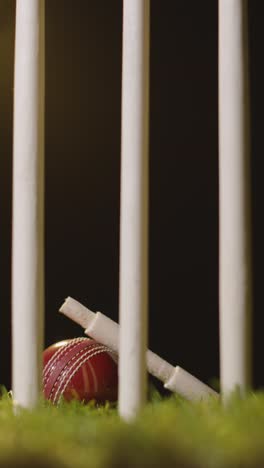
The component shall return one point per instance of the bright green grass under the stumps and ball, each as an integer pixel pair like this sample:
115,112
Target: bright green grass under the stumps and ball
168,433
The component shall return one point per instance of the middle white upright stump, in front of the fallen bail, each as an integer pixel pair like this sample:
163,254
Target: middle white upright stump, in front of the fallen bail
134,208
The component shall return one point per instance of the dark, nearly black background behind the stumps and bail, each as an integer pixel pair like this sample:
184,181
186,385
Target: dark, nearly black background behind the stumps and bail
83,90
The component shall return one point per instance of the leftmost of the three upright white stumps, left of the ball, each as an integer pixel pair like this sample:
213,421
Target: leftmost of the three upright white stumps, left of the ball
28,205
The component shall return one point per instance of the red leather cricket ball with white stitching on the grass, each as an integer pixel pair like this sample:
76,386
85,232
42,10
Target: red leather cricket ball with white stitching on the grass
81,369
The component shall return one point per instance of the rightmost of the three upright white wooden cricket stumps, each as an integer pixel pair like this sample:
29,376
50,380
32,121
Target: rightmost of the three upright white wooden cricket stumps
234,184
